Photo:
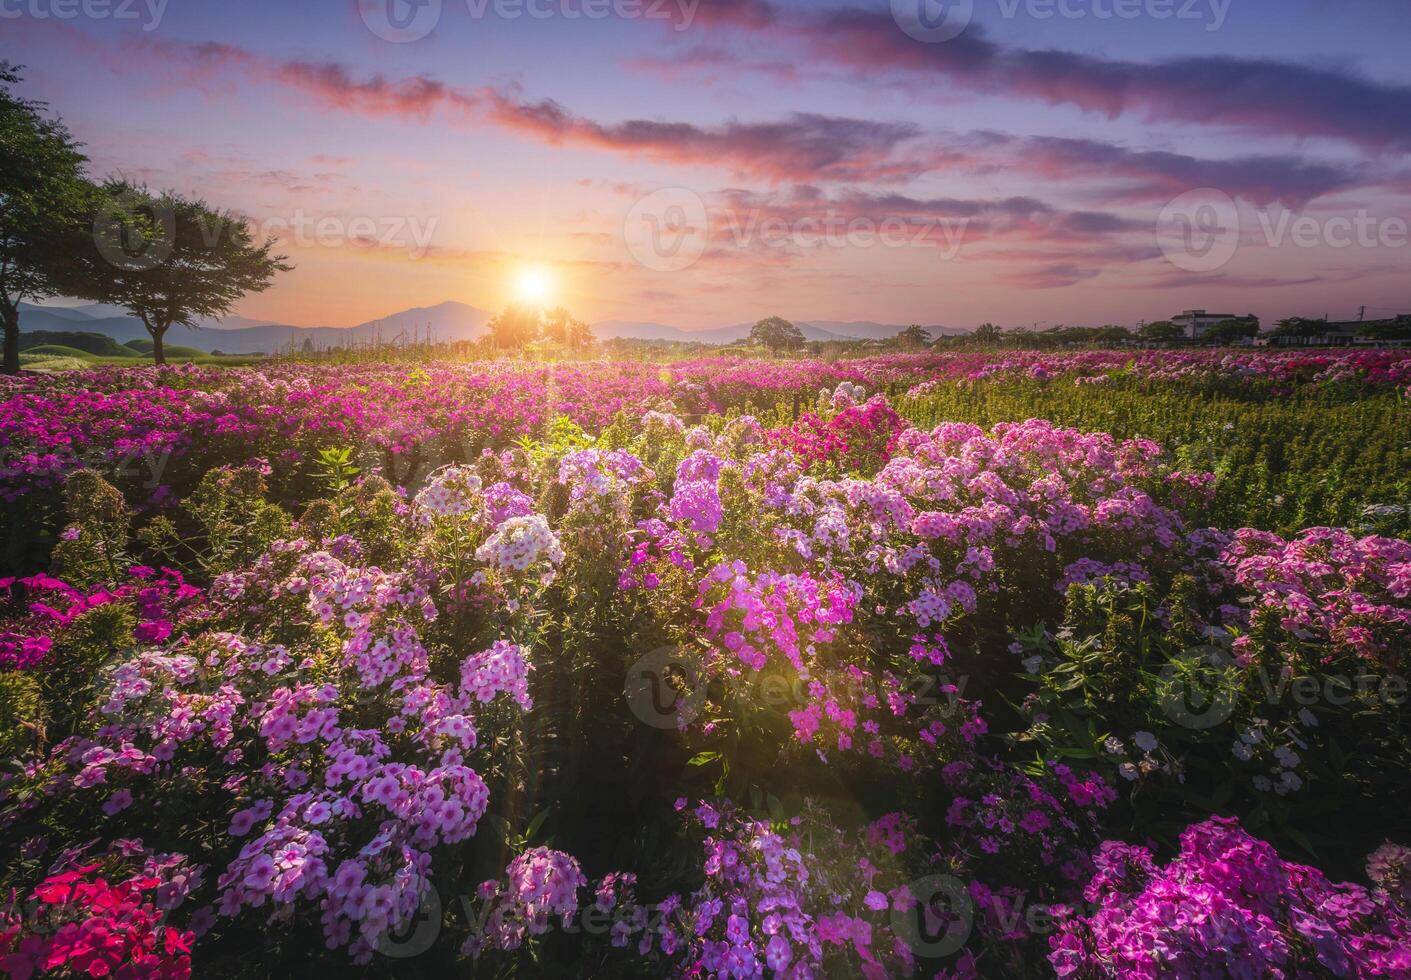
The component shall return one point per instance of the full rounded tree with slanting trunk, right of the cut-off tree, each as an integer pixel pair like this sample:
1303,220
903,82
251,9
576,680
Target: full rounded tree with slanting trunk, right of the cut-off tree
174,260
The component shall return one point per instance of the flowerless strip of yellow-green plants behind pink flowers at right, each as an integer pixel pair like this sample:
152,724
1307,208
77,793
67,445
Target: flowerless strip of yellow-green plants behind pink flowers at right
1319,458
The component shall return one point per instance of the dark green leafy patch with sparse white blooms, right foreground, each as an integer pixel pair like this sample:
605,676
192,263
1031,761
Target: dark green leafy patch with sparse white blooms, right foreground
1132,661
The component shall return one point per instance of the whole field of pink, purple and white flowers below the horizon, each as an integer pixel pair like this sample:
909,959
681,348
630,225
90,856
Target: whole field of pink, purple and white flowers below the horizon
1080,665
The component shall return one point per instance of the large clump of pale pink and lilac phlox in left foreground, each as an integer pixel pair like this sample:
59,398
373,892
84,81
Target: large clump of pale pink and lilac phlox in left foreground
353,795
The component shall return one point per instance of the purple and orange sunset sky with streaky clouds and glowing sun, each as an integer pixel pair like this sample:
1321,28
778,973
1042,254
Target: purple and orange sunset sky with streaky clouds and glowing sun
703,163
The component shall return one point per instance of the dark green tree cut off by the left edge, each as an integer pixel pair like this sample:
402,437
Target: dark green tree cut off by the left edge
43,201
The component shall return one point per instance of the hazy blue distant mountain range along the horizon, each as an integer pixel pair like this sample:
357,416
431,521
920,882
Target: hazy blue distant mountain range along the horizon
445,322
